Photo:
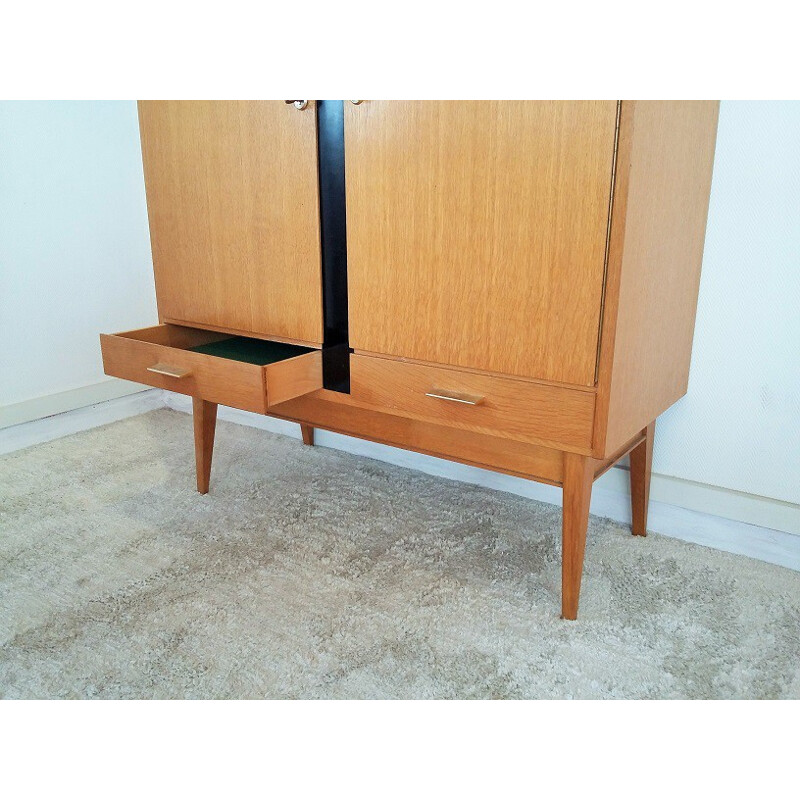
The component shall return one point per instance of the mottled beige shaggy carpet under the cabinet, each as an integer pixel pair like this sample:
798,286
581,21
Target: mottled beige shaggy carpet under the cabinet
309,573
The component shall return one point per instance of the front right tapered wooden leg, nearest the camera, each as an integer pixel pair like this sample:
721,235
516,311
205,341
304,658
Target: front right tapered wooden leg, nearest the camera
578,477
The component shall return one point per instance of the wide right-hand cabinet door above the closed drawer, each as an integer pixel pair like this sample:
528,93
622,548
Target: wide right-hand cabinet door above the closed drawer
477,232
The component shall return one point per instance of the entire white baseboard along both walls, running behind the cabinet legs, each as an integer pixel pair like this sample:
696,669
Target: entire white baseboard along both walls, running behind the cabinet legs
707,515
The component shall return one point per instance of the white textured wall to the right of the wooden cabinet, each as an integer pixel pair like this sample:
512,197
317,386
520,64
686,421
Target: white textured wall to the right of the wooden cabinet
739,424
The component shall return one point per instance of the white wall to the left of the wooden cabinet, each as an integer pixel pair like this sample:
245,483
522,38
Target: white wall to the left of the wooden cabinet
74,249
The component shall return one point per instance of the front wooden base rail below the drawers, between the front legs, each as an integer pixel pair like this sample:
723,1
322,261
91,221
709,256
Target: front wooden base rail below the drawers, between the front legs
334,411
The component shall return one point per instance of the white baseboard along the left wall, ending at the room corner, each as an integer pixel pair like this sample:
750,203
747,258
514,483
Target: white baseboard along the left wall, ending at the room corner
38,431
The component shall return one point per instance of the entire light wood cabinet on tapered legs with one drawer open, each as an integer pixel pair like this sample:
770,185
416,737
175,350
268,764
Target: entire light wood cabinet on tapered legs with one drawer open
511,285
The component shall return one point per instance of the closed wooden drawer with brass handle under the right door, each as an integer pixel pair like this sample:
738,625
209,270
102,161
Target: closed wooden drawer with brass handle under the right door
554,416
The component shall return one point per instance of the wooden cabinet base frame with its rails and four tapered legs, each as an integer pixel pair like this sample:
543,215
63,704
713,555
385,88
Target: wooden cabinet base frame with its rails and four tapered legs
574,472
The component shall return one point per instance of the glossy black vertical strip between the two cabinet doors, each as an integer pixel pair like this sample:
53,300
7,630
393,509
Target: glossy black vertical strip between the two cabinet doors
333,235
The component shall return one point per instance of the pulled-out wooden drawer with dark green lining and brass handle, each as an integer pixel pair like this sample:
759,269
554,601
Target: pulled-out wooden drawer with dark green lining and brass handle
252,374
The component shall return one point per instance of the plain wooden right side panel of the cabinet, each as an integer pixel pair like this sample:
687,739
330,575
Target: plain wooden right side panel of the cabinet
660,207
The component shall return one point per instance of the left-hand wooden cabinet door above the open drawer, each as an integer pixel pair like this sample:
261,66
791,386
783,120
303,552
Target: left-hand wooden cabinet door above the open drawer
234,215
